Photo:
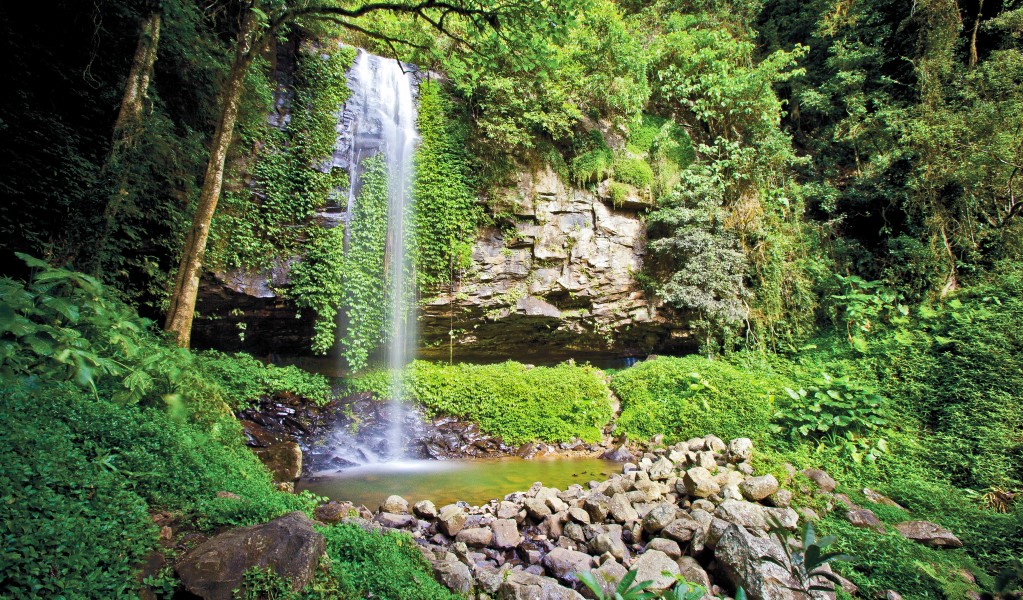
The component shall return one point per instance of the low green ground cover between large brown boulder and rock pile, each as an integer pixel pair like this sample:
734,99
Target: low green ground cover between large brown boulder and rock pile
375,565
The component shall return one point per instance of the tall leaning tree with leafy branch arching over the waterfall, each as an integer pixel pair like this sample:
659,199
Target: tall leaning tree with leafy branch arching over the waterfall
507,27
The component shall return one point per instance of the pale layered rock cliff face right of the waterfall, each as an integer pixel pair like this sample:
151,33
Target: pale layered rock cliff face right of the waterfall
557,282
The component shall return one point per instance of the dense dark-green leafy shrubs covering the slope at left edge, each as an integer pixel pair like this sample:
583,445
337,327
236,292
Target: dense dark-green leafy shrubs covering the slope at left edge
108,426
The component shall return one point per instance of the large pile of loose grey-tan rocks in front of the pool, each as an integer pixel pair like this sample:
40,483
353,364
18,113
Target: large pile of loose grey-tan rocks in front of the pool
693,510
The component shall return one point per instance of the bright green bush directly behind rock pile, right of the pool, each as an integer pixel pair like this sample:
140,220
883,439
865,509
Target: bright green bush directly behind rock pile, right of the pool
693,397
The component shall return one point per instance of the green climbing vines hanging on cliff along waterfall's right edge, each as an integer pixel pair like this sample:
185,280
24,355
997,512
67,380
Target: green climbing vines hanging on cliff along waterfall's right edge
446,211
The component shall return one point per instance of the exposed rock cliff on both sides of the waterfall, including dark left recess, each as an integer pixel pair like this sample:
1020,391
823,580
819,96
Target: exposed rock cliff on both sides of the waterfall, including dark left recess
556,282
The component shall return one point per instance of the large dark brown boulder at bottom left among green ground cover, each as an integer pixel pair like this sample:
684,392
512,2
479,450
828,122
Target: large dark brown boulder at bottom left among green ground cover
289,546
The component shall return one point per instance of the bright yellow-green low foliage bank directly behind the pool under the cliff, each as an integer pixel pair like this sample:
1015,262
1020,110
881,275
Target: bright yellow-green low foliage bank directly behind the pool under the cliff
520,404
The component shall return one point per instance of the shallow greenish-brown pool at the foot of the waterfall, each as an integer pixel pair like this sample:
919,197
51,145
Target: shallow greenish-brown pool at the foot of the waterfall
475,482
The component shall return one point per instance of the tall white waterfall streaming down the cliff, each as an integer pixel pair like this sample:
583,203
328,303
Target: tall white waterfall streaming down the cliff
380,118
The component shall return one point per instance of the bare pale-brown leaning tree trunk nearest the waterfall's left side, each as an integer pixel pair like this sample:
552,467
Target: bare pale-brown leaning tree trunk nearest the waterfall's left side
180,316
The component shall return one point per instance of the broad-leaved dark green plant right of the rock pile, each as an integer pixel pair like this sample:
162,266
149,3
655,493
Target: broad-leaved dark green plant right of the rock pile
837,409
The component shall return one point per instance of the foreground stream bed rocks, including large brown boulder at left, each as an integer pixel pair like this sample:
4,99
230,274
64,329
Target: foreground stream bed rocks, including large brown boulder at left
695,511
